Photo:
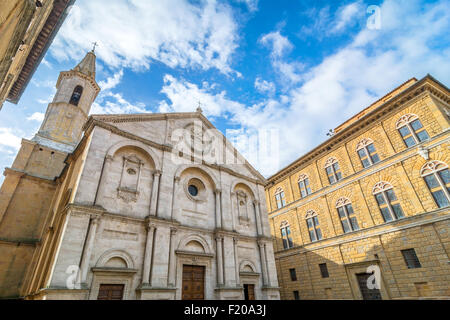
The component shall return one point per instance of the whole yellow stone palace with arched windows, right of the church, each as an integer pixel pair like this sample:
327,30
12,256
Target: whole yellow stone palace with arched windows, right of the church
336,229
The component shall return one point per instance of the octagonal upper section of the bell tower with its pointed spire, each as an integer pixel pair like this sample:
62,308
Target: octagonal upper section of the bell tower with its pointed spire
69,110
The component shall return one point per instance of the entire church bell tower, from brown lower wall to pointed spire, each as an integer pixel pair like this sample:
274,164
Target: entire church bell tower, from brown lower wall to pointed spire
31,182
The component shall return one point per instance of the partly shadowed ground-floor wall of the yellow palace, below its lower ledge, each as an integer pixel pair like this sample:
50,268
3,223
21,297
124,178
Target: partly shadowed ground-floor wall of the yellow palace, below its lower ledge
338,268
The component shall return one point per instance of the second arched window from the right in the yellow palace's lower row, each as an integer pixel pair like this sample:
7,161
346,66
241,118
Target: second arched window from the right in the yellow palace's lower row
387,201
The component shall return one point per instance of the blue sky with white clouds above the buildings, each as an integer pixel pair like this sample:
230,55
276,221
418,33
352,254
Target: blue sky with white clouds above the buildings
293,68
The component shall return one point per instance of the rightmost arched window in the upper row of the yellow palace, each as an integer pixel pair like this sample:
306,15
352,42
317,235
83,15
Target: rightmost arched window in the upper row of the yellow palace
411,130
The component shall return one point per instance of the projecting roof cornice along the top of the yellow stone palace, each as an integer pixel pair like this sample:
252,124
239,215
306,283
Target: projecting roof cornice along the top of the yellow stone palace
426,84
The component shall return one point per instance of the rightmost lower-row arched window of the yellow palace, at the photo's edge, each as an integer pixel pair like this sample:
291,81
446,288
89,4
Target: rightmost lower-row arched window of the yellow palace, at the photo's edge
437,178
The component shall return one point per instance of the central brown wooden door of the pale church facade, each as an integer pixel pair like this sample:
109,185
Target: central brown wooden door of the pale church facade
193,283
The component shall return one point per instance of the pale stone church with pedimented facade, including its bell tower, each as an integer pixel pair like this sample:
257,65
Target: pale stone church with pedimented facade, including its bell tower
131,206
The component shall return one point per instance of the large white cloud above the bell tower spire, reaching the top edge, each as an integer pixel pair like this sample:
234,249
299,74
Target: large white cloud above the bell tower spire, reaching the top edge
178,33
